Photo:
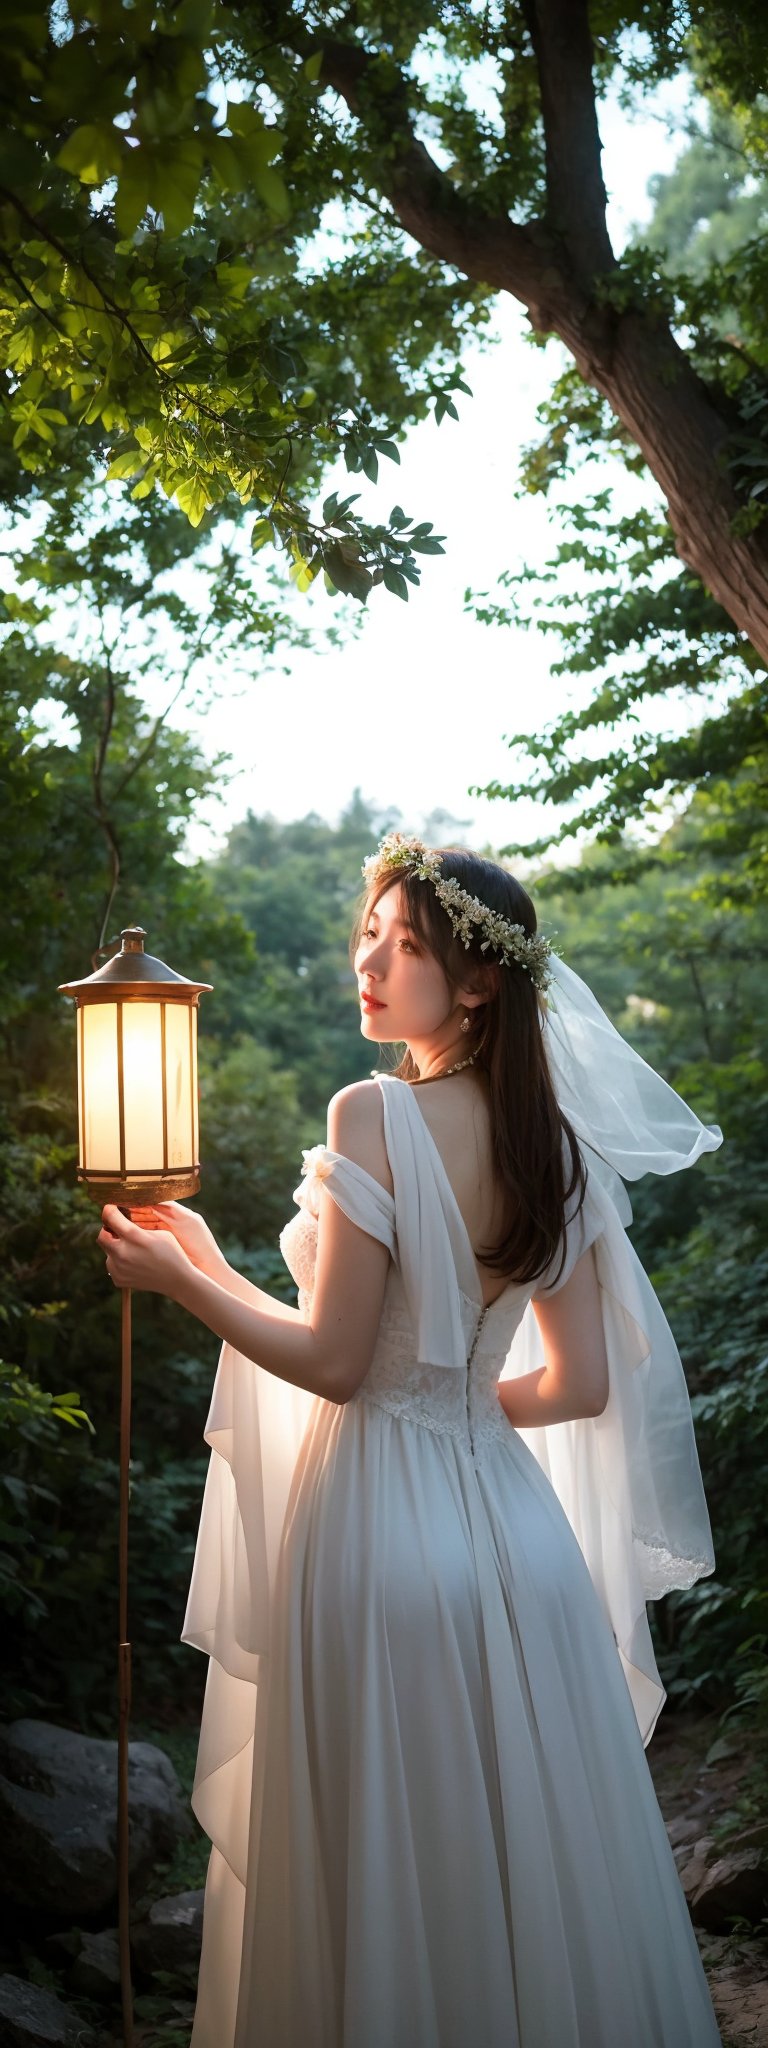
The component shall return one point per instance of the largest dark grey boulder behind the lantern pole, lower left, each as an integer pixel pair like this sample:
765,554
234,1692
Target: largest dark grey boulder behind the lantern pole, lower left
58,1809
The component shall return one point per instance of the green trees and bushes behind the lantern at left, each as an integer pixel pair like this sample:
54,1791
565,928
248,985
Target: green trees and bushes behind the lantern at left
110,790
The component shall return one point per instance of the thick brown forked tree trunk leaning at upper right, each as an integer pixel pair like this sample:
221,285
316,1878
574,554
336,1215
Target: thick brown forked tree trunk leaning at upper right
554,269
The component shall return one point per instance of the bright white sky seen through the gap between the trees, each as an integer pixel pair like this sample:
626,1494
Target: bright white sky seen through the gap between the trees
417,708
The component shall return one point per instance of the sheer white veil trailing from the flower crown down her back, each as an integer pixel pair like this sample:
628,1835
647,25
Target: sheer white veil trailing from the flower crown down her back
630,1478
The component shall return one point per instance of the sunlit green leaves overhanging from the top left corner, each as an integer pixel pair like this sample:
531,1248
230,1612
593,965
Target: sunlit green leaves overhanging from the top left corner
155,329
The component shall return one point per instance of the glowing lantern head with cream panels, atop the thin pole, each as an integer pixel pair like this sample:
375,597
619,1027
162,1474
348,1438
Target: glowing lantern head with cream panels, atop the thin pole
138,1078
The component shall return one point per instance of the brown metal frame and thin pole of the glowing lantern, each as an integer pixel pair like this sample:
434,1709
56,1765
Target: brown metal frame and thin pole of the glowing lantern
134,978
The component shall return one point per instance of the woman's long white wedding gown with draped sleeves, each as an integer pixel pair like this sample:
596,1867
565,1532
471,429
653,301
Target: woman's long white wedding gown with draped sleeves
423,1744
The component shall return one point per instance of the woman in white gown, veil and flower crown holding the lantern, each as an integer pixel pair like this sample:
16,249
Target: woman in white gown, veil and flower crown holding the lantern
441,1492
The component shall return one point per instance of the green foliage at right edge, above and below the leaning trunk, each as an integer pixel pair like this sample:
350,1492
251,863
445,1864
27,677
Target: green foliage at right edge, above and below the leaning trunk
640,630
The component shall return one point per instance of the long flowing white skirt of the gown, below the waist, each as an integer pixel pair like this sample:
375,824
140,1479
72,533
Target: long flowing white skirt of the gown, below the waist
456,1838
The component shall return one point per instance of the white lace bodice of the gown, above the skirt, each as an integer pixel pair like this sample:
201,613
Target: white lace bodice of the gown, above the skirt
454,1404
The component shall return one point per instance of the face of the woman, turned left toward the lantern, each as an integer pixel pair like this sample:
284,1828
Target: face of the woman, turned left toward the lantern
411,994
